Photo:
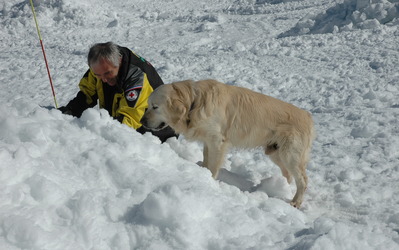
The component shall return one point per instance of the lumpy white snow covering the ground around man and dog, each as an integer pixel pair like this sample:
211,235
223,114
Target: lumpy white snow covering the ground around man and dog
92,183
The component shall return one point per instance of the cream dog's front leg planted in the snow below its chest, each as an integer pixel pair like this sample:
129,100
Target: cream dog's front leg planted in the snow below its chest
214,156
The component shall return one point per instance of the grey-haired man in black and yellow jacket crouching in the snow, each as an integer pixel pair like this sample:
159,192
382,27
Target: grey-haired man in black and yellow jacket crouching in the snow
121,82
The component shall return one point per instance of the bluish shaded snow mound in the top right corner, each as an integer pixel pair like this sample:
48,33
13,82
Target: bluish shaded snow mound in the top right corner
346,16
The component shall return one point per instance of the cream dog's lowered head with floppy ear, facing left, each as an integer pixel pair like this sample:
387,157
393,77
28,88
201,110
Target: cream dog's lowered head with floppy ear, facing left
169,105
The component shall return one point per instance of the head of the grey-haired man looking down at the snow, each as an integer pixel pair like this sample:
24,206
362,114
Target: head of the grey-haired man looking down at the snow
104,59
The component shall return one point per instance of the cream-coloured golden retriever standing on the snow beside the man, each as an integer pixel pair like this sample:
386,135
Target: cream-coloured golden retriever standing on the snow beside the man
221,116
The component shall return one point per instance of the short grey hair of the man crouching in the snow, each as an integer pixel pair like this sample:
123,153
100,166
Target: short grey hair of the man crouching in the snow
108,51
